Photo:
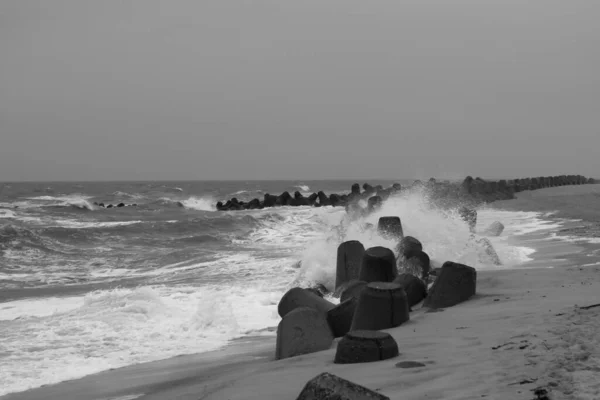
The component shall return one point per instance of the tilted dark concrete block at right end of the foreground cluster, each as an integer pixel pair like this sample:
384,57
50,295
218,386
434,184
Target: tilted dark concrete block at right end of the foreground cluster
454,284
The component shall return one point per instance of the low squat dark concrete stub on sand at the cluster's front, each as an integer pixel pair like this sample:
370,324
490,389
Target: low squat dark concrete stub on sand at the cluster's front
365,346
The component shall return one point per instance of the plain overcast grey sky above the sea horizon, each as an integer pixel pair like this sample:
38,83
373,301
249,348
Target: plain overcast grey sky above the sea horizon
286,89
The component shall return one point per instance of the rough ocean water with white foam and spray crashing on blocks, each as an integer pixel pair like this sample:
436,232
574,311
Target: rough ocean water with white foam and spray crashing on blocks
85,289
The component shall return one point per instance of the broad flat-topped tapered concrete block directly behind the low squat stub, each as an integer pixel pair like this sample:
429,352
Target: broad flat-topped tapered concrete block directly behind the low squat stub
381,305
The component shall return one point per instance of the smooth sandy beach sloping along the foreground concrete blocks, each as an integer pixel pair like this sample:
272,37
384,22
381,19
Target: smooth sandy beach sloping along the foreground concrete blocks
522,330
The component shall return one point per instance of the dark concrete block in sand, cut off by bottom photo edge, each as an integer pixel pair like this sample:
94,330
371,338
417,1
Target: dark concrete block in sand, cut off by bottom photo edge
327,386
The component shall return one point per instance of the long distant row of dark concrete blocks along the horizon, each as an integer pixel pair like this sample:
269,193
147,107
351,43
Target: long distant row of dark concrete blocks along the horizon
471,190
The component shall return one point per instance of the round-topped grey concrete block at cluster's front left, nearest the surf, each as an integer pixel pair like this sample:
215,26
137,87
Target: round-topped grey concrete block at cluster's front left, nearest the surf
302,331
